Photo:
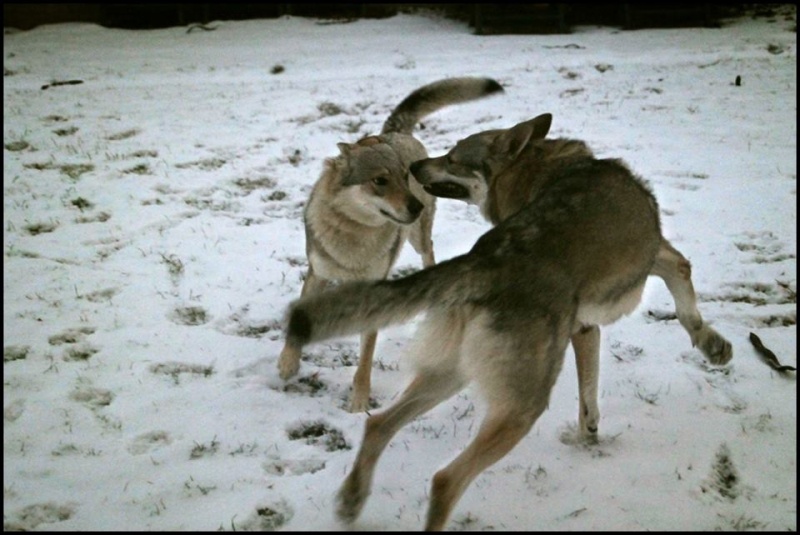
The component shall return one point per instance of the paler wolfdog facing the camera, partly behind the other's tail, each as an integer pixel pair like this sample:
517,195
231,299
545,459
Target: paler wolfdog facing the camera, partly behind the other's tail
364,207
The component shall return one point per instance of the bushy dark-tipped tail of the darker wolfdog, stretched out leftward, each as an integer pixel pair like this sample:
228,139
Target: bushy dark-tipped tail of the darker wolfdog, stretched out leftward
362,306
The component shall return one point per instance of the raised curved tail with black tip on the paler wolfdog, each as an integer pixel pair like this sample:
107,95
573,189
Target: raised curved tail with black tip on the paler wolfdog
435,96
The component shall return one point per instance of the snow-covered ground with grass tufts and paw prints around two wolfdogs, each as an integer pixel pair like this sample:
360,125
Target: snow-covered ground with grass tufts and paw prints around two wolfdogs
153,237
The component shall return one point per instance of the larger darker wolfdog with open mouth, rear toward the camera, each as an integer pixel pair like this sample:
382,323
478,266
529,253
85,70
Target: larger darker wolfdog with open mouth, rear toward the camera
575,240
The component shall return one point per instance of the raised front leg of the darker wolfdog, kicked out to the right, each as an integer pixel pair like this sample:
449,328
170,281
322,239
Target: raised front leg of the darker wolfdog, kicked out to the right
676,271
